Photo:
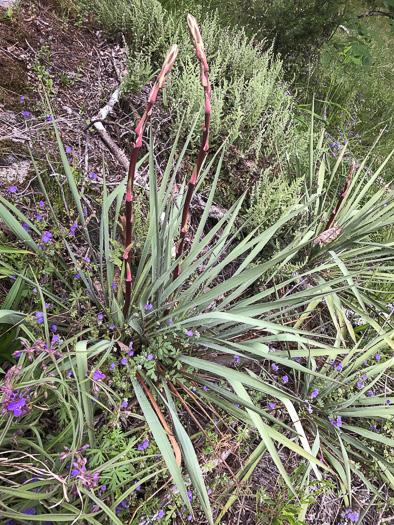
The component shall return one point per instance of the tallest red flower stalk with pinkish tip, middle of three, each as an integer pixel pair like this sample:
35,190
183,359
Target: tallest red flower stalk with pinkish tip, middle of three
199,45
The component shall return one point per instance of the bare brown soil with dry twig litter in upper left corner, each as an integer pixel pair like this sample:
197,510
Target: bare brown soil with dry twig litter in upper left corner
83,68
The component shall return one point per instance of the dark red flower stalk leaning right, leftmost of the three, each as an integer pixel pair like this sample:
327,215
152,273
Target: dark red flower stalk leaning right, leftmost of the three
139,131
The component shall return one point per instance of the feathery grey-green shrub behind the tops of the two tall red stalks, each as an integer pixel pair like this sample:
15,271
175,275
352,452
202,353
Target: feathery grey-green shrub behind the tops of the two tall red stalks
251,104
